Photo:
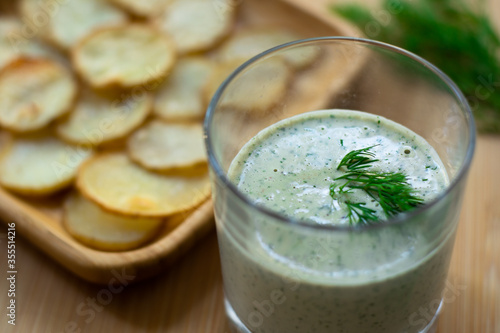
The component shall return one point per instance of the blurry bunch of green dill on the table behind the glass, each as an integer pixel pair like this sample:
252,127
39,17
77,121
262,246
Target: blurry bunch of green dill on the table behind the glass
450,35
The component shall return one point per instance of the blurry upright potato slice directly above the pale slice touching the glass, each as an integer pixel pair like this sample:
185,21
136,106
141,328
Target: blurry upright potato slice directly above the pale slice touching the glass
180,96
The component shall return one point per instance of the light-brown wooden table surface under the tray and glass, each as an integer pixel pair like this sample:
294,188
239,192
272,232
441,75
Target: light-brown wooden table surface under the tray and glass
188,296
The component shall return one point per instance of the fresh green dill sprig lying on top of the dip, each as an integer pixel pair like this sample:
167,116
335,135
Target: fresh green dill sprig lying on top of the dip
390,189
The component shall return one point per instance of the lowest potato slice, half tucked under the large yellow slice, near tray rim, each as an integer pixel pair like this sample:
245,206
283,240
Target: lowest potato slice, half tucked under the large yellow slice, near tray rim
106,231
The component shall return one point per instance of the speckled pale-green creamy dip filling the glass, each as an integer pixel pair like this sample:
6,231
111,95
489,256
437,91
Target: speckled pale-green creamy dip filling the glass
288,278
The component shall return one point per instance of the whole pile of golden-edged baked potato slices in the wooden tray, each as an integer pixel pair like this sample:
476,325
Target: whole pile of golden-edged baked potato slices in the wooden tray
106,99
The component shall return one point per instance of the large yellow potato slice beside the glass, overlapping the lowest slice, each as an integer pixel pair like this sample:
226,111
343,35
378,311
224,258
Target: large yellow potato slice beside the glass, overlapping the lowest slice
117,184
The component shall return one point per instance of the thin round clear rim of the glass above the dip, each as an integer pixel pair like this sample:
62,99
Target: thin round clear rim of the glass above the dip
394,220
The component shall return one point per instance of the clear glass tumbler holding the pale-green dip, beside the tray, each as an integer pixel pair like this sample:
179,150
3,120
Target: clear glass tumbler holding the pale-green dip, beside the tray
303,293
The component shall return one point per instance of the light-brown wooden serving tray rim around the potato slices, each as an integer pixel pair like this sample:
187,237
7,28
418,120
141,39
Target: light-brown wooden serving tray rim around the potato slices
41,221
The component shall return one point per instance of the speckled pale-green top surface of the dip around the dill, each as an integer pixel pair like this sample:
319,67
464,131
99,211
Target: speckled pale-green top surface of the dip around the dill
289,166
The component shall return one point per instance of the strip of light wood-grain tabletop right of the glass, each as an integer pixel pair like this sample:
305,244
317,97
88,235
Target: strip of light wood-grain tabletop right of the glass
474,278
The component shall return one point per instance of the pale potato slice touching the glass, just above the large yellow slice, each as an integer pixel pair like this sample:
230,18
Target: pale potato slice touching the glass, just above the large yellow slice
168,147
